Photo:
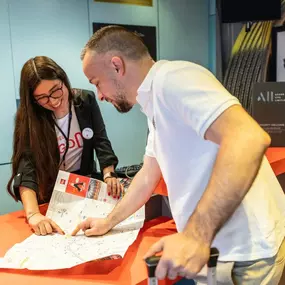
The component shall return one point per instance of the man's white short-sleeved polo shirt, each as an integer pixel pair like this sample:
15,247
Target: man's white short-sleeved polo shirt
181,100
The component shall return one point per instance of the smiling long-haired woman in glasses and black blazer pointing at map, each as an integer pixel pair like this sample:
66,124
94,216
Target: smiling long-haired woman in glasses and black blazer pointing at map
56,128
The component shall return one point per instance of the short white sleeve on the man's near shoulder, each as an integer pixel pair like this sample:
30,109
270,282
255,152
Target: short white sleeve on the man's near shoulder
195,96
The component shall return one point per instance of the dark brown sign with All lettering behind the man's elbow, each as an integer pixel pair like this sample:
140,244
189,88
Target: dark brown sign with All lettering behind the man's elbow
268,103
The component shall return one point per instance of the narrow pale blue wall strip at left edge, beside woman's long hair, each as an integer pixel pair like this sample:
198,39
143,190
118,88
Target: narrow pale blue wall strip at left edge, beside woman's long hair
7,108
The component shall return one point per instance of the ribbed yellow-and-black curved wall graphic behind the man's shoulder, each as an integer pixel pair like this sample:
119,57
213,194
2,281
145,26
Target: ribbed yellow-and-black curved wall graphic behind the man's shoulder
249,62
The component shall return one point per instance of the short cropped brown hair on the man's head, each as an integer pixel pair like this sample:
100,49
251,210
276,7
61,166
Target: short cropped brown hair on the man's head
119,39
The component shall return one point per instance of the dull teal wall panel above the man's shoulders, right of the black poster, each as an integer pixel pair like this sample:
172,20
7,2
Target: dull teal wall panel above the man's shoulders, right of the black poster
183,30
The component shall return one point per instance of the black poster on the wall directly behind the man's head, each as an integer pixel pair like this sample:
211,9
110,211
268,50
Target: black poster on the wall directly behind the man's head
147,34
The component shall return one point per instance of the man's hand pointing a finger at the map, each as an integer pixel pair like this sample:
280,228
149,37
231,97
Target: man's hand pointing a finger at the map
93,227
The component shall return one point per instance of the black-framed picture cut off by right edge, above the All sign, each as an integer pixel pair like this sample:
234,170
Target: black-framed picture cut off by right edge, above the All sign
278,54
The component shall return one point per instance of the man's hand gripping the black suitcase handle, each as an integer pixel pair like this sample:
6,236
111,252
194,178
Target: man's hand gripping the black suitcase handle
181,256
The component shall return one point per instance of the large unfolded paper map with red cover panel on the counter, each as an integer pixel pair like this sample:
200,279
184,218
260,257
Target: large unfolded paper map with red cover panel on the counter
74,199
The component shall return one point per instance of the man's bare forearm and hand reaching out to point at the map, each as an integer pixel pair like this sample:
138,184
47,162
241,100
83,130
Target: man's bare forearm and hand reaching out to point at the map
139,192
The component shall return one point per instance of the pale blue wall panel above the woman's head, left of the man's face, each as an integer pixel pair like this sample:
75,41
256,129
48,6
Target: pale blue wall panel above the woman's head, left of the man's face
54,28
